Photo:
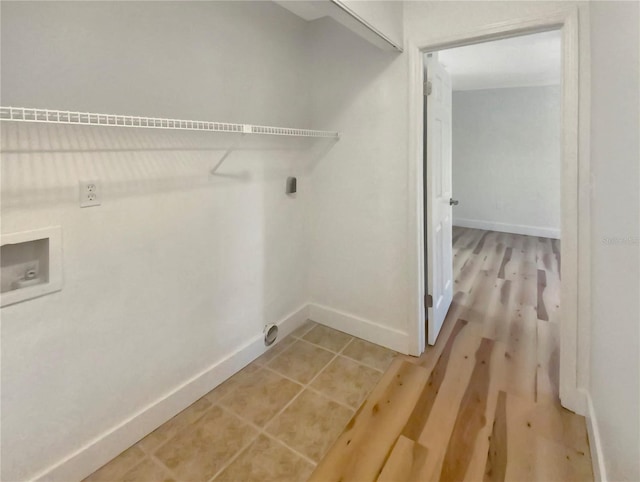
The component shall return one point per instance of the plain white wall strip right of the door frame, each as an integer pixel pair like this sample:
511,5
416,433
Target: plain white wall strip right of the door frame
615,348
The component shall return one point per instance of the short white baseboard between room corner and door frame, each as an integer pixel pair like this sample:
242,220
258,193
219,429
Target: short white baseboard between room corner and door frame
355,326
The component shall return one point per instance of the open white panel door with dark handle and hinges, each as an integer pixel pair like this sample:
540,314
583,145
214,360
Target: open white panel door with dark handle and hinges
438,202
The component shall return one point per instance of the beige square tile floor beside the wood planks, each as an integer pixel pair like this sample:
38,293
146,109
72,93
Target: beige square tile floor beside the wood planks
272,421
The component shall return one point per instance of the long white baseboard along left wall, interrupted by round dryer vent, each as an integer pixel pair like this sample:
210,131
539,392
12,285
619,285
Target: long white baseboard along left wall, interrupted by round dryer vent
111,443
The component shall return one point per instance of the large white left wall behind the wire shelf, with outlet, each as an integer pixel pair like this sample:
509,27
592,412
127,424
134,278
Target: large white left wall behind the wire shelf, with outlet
178,268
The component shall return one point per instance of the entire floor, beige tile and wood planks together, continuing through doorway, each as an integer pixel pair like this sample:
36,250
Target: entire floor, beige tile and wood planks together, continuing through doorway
481,404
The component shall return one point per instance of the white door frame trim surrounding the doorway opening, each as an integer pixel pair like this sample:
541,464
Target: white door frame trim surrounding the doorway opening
575,181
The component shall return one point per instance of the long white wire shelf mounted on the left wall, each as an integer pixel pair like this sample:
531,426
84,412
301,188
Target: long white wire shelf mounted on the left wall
26,114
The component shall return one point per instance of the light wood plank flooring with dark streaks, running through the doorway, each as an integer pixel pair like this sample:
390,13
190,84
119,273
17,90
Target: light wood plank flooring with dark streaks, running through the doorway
482,404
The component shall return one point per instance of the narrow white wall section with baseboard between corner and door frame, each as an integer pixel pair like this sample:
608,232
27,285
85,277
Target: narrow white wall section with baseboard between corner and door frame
358,206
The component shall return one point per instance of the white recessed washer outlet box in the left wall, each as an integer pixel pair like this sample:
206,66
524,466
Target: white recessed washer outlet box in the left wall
30,264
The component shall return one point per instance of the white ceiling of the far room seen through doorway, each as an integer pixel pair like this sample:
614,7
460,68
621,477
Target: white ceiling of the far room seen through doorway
529,60
